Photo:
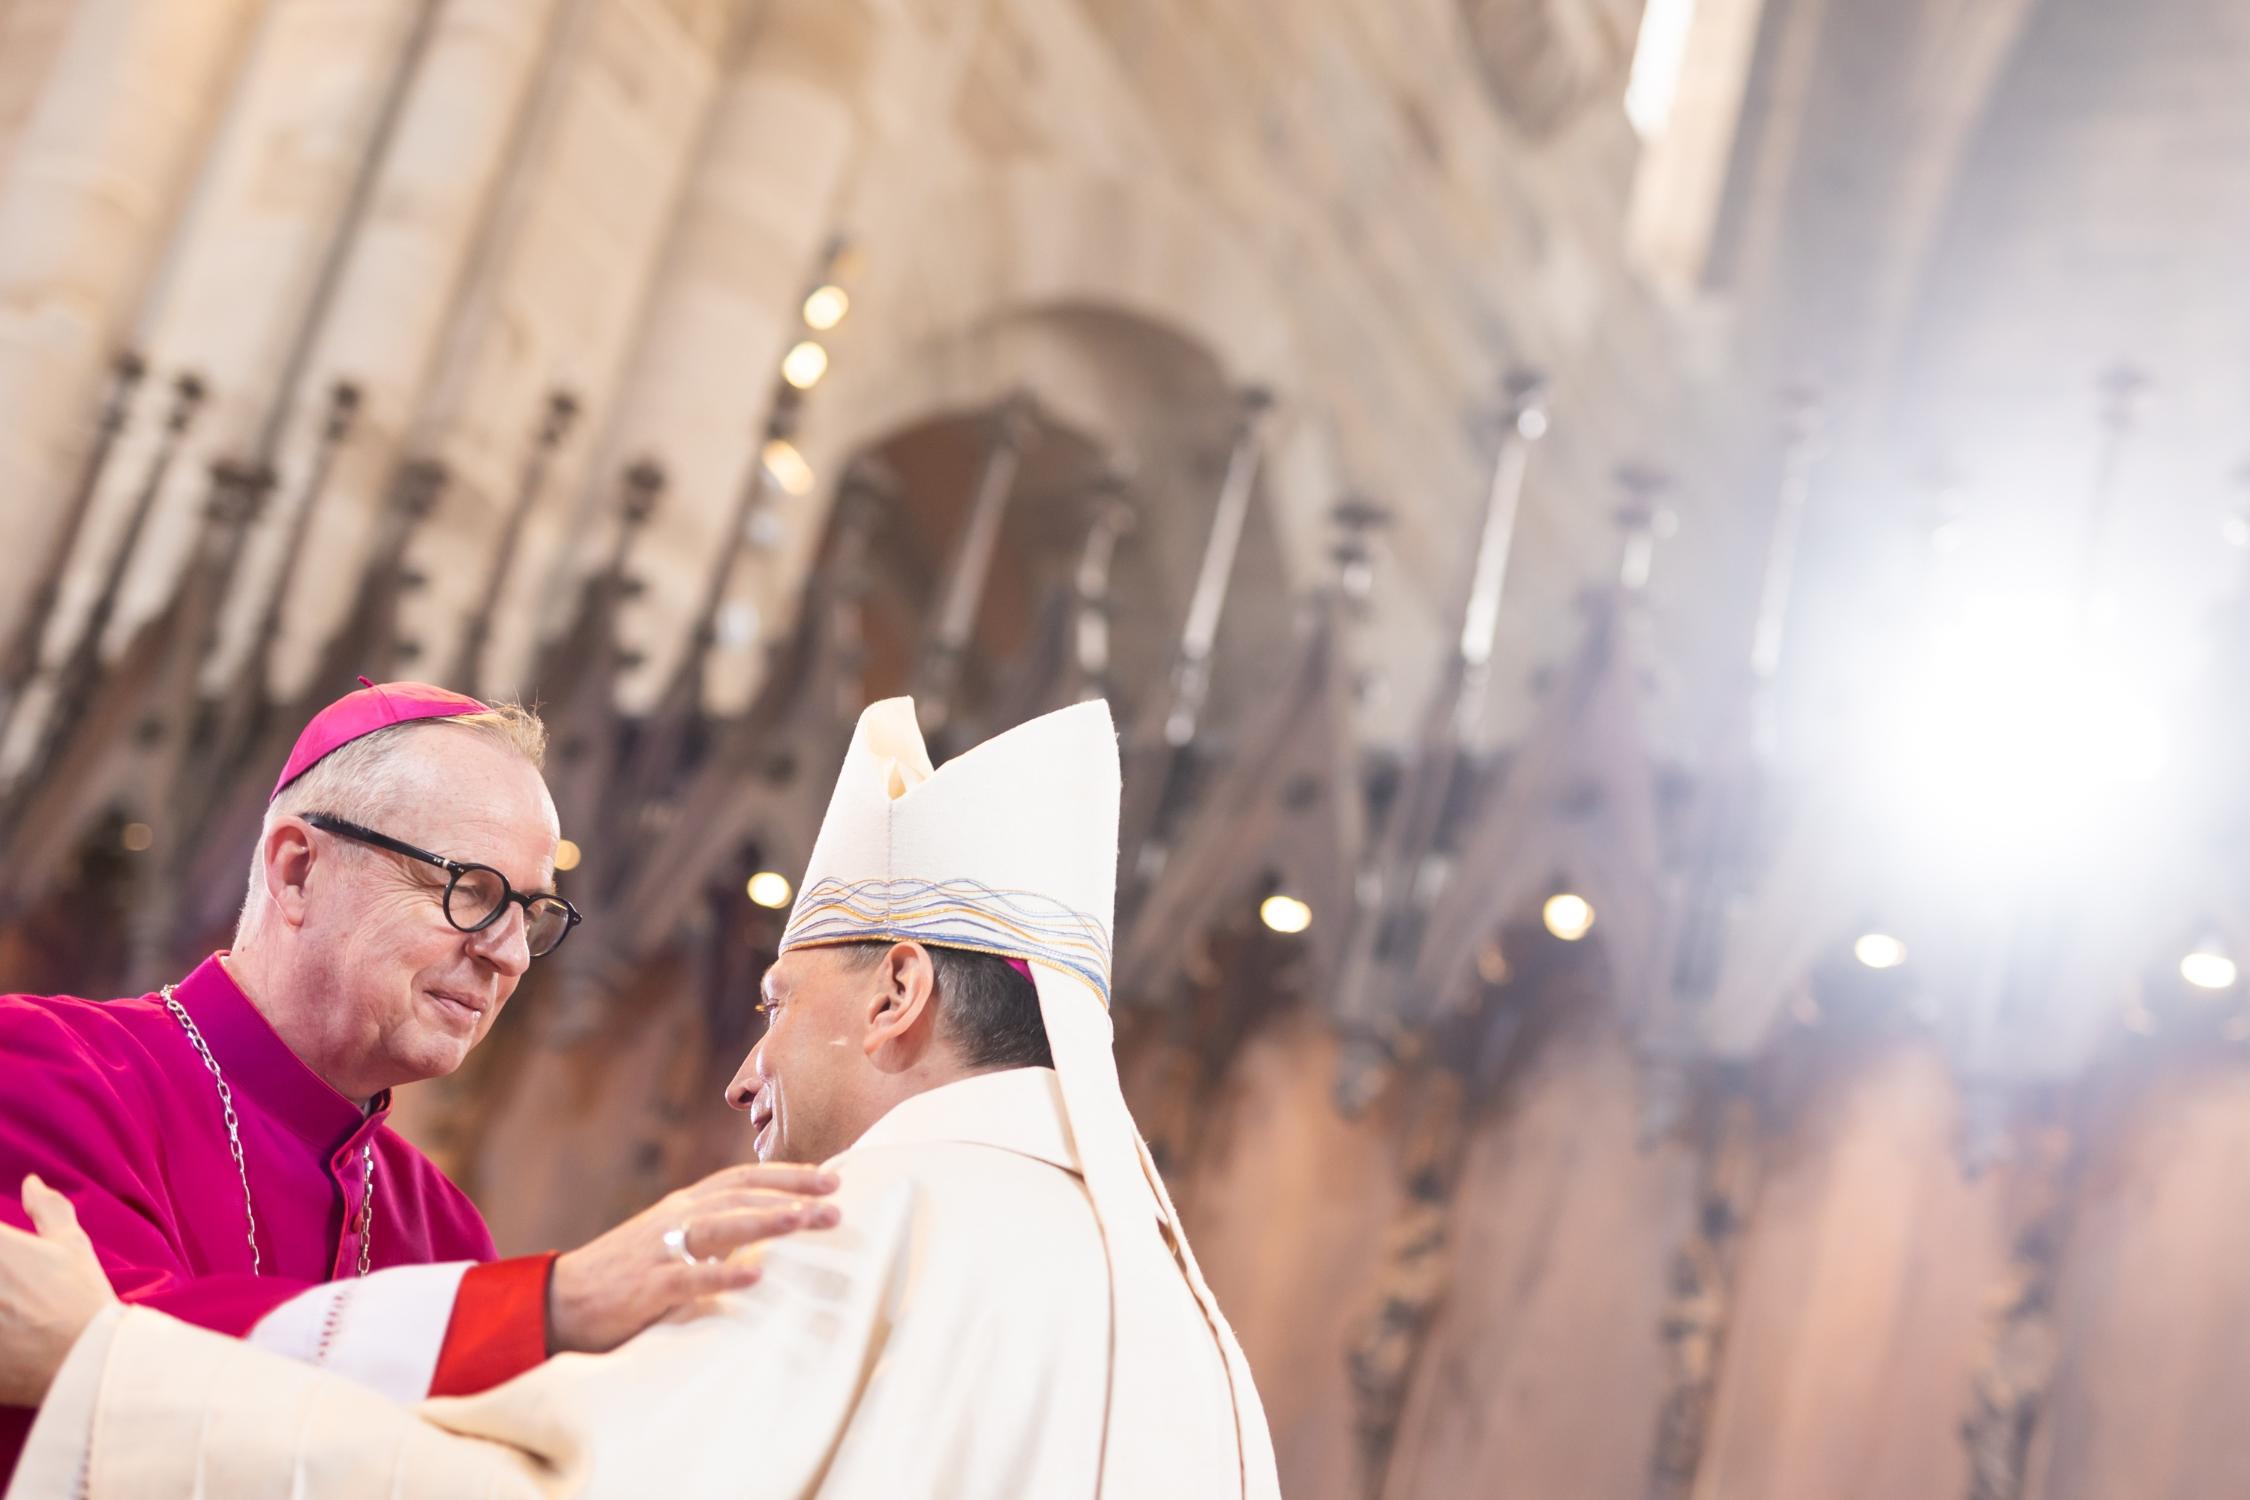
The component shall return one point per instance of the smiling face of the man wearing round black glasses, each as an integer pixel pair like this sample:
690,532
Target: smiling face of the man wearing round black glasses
386,991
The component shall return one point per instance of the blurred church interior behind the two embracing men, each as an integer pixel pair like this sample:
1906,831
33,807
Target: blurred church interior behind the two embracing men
1675,579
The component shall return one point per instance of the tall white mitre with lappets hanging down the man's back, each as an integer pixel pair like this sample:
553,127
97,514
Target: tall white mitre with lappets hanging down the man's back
1011,849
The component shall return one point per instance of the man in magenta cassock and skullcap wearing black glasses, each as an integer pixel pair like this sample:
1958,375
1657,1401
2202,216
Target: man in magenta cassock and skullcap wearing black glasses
228,1184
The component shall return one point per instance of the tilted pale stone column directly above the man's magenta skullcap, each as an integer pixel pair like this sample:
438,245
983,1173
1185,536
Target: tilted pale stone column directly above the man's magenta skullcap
557,296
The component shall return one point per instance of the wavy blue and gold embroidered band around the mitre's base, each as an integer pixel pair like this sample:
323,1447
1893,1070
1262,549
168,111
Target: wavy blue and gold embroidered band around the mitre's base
957,914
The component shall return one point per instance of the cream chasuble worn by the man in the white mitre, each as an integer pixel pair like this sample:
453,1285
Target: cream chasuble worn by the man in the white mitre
946,1339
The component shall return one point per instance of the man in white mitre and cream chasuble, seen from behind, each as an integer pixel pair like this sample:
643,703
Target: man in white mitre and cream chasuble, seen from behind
1009,1305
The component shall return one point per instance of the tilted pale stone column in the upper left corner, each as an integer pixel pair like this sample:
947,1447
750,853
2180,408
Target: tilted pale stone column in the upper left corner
89,192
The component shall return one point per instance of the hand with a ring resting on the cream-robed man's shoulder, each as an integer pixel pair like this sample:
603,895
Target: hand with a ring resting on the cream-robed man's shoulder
613,1287
